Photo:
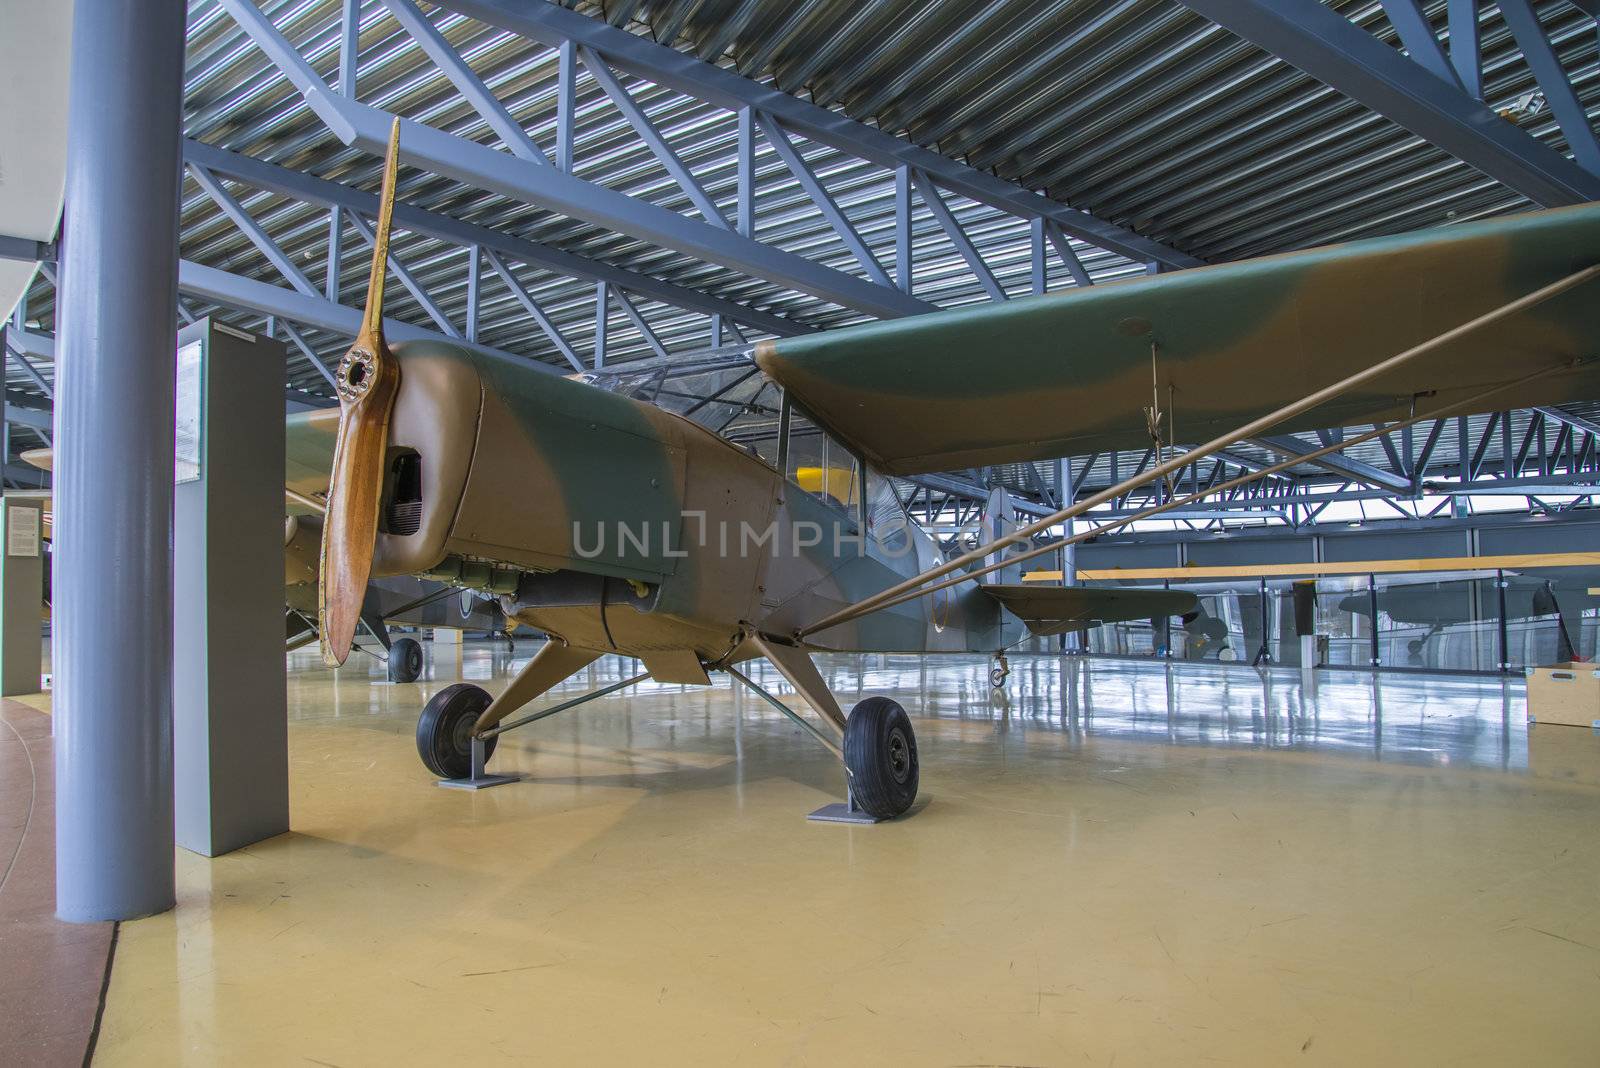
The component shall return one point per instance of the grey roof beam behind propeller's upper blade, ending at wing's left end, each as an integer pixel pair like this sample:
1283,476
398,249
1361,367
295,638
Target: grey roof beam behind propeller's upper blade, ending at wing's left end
321,191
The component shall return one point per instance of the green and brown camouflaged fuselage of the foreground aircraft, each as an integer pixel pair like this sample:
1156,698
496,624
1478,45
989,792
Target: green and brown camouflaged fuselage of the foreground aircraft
620,527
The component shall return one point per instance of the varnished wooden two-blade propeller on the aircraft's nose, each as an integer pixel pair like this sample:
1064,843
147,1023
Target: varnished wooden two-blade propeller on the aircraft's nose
369,380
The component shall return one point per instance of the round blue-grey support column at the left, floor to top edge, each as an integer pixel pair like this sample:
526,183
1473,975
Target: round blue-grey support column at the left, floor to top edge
114,464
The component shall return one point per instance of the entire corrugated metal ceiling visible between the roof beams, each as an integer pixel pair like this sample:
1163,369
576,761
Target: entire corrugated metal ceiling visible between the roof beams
1137,111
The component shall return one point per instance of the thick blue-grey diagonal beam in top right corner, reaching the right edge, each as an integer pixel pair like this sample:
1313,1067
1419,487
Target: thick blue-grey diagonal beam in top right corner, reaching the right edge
1329,47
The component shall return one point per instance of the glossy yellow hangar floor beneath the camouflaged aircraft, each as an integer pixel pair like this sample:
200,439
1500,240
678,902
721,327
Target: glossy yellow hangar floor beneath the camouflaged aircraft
1121,864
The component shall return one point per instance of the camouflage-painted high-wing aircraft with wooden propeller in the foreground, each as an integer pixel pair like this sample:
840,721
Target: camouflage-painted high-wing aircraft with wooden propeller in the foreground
617,527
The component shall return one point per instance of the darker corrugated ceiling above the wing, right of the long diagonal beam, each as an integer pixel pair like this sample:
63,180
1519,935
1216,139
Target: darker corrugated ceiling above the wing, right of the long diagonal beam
1137,111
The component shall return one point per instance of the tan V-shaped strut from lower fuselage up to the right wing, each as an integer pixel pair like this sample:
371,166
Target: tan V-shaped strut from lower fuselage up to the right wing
911,588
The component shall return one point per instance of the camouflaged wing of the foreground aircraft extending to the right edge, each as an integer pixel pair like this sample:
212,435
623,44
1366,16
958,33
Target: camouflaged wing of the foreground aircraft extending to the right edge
1070,373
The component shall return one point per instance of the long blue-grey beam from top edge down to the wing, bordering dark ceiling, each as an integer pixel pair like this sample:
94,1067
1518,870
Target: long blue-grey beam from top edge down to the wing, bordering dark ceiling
551,25
